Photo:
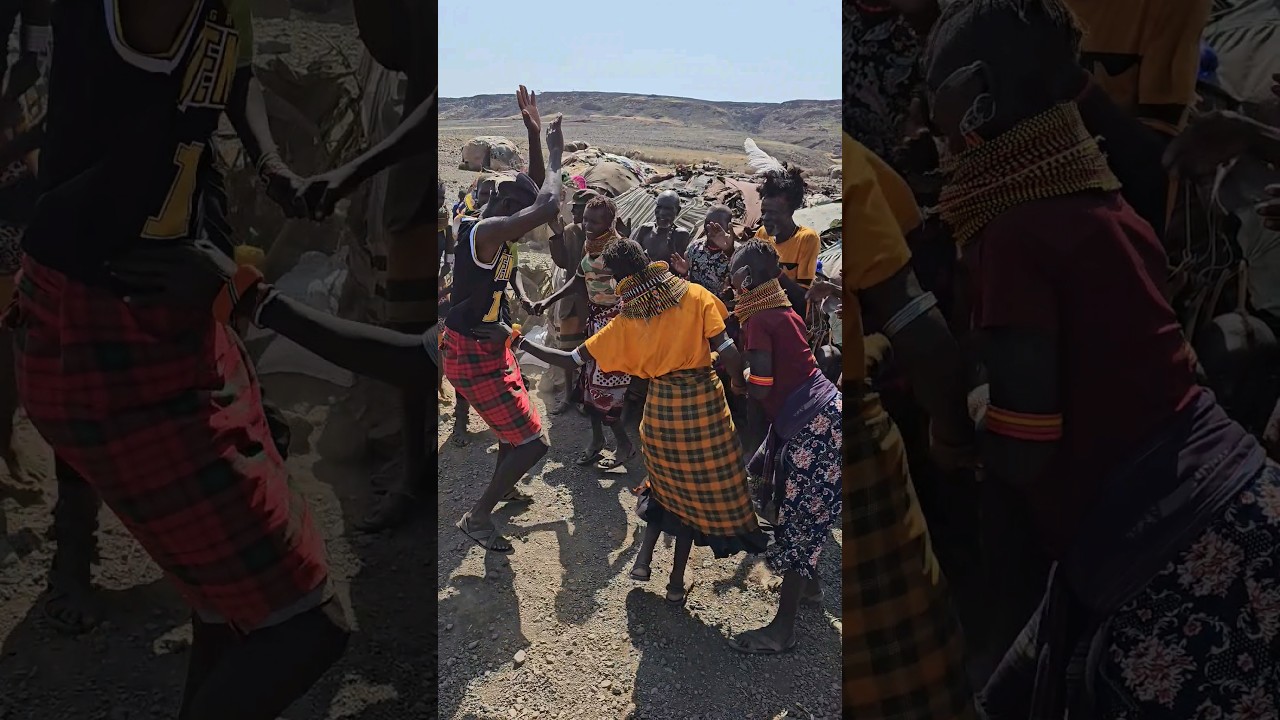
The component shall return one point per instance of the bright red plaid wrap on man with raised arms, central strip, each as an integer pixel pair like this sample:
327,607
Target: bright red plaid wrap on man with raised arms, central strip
487,376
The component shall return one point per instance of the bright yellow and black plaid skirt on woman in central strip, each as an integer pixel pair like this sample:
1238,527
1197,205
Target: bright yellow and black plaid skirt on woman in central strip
697,472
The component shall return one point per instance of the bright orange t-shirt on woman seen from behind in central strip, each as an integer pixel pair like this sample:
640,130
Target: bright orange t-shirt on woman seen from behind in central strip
675,340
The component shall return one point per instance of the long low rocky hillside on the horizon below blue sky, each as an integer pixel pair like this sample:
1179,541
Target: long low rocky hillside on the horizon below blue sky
807,124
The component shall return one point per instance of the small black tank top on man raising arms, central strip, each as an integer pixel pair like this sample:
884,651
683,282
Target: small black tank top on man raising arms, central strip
479,293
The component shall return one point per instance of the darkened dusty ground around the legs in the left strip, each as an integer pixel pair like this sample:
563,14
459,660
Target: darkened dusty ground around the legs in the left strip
132,667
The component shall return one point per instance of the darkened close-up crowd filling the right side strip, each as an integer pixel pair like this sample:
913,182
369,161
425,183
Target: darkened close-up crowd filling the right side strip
1017,174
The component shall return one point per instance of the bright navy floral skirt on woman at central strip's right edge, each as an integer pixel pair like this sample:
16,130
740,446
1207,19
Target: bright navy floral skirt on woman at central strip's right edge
813,498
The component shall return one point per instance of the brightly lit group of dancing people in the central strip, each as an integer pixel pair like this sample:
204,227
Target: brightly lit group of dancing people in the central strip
730,306
